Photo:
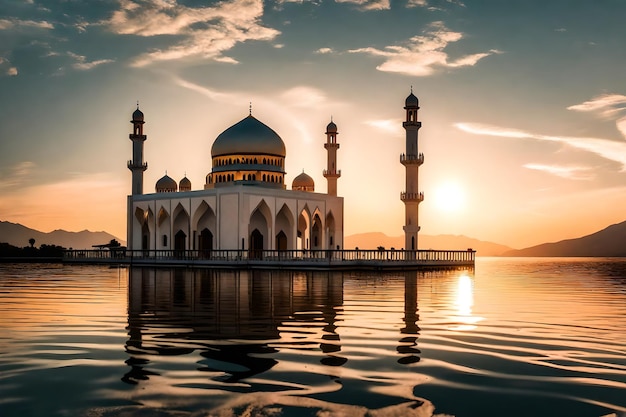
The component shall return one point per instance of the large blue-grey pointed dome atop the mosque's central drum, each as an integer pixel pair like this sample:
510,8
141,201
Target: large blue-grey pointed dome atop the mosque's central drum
249,136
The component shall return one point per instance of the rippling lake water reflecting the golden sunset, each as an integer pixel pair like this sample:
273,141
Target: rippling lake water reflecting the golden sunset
514,337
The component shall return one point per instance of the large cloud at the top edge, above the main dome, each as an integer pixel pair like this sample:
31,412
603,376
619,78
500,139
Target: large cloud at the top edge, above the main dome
200,32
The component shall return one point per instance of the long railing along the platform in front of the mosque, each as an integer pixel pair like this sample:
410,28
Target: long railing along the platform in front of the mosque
444,257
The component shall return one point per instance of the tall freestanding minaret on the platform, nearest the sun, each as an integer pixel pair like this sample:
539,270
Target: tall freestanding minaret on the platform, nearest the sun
412,161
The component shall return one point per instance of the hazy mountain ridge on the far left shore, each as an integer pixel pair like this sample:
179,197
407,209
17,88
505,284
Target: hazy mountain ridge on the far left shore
18,235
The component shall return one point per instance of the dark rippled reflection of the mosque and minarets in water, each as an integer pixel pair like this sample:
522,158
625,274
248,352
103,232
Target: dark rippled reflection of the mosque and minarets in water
236,319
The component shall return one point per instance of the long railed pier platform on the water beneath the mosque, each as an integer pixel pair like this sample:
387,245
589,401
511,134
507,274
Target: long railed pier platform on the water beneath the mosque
354,259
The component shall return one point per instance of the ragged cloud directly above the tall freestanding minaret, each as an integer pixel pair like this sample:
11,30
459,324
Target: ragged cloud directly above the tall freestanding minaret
423,55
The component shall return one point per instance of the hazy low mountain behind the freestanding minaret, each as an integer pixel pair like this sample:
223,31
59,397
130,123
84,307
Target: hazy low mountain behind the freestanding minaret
376,239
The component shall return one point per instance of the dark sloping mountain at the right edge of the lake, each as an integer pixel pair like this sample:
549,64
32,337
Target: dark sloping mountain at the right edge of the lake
607,242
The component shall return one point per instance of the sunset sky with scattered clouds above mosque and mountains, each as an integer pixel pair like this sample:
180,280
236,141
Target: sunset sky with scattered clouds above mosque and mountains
522,104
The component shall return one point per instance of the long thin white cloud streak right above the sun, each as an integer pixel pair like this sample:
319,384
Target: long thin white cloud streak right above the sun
608,149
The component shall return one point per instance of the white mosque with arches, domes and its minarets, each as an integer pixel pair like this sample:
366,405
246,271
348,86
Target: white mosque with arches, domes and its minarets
245,204
